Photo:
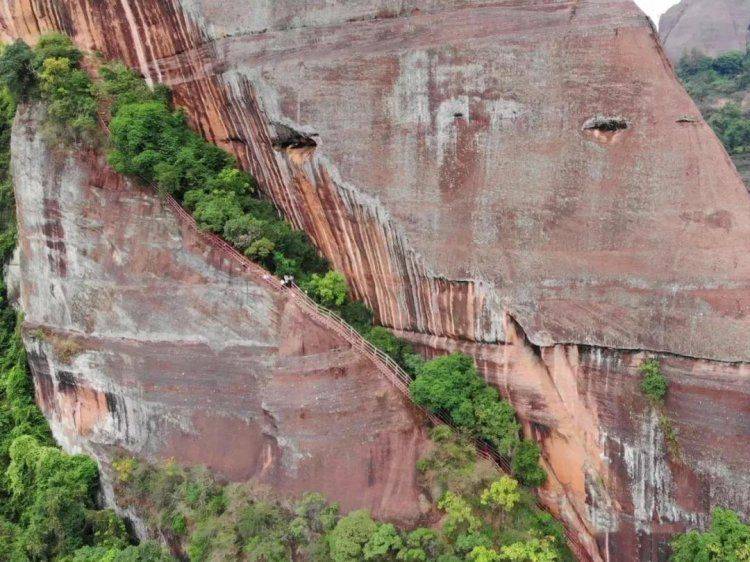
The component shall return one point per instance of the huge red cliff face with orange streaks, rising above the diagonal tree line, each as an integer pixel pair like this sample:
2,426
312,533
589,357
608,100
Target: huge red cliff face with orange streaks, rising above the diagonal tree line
461,180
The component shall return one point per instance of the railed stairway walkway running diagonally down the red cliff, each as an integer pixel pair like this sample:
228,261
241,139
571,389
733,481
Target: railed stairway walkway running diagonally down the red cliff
383,362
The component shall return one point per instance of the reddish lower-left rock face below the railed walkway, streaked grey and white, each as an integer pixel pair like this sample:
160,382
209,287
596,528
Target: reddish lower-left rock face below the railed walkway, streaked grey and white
143,338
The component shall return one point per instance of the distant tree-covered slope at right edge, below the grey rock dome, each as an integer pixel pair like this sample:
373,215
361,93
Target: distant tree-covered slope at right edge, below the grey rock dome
721,88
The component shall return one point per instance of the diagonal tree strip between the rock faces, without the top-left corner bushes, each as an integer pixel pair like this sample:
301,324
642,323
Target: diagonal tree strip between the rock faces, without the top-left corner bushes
152,141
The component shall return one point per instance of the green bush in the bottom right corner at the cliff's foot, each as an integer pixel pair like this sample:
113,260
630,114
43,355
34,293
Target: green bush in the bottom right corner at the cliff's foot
726,540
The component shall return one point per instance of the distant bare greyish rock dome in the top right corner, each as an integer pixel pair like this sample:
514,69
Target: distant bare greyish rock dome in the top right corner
710,26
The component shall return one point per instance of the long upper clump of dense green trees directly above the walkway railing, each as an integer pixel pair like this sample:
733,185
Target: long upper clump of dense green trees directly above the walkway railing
152,141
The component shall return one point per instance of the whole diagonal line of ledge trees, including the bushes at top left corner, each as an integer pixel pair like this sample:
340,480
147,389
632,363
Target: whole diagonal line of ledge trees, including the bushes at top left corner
152,141
